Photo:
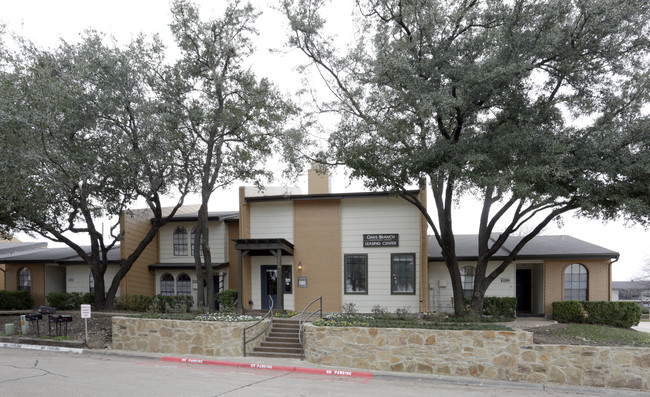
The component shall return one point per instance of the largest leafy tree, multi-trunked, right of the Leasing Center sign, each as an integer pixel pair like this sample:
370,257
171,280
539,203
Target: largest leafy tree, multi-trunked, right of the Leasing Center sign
537,108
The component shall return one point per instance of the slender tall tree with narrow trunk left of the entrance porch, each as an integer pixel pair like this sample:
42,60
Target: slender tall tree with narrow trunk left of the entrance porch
235,119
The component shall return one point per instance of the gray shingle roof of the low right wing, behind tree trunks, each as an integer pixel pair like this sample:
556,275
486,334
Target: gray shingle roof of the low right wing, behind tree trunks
540,247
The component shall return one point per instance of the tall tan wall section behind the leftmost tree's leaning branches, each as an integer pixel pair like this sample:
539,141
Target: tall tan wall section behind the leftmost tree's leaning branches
139,280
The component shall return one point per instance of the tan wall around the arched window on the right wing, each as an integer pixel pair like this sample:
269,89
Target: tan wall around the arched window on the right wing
599,280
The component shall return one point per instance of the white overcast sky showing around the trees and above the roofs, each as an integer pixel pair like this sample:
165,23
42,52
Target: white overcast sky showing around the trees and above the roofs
45,22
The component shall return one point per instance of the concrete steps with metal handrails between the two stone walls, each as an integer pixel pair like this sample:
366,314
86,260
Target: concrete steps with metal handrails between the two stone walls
282,341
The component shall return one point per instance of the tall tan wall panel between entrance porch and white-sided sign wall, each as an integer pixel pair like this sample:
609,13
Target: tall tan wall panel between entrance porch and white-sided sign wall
317,236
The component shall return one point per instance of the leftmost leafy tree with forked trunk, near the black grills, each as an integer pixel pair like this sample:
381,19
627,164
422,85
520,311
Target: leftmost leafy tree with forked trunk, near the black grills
85,135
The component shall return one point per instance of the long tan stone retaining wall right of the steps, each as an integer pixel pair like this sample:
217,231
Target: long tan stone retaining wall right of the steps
504,355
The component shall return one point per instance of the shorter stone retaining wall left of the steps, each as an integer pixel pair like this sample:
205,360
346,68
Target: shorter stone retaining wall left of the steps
209,338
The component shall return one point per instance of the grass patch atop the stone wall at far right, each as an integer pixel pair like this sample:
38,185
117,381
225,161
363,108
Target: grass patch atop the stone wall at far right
601,335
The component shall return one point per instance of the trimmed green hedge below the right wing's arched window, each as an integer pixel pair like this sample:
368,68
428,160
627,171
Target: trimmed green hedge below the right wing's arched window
618,314
